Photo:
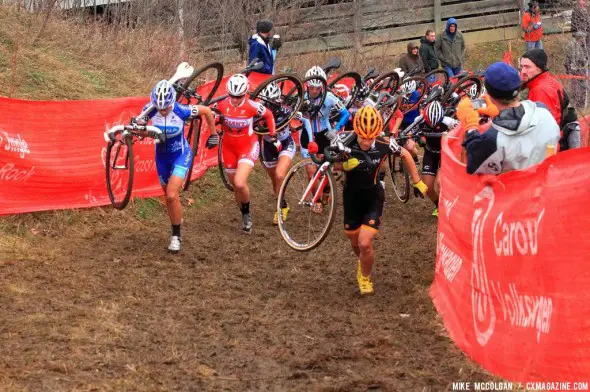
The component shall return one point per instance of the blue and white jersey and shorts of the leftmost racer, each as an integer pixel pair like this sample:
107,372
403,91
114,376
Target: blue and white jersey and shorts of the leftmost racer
173,155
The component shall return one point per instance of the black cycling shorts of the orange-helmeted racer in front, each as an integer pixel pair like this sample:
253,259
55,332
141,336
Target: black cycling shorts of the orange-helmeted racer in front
363,207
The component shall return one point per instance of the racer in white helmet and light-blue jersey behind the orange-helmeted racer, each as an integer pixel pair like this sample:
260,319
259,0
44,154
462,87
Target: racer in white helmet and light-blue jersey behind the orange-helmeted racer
318,127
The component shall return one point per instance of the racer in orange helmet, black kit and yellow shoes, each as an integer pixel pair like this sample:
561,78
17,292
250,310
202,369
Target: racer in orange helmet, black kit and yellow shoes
363,195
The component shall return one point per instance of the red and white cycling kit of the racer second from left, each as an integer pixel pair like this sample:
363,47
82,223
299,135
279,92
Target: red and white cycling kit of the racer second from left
240,143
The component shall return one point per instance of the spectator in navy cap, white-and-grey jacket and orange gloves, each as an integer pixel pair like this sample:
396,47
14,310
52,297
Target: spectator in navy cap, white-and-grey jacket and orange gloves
521,134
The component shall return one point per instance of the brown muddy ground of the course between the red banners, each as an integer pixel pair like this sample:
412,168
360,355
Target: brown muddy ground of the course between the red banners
96,303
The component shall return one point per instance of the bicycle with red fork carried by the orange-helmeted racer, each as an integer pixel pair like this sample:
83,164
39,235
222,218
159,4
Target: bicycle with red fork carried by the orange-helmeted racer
302,195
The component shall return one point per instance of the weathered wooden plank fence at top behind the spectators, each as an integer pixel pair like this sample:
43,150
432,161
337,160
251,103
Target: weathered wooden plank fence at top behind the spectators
374,27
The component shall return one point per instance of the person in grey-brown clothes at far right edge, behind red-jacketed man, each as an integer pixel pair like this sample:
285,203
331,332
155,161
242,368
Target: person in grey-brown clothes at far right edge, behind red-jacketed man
576,64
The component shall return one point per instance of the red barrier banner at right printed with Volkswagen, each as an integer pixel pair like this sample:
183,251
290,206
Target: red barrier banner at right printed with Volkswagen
512,280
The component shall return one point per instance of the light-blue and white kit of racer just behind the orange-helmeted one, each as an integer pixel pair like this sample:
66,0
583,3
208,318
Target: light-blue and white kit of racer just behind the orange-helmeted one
317,127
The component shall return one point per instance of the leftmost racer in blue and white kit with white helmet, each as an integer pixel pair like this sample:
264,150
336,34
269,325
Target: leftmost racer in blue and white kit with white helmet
174,155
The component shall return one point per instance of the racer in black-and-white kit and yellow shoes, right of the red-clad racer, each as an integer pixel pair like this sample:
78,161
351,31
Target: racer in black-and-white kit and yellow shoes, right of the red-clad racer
278,157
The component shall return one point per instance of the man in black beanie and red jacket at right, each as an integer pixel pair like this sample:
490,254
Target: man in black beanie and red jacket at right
544,88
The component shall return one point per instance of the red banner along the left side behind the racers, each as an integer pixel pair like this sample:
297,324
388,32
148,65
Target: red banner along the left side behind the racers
52,153
